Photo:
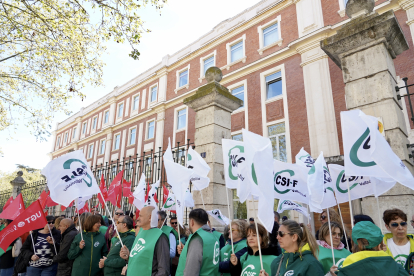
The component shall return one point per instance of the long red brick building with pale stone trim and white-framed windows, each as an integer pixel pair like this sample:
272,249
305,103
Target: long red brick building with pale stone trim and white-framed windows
270,58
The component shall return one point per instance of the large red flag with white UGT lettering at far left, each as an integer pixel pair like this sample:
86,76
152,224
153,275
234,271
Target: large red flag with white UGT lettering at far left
32,218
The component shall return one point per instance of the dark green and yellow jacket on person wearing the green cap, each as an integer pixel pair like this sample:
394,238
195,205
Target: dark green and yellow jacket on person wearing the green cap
371,263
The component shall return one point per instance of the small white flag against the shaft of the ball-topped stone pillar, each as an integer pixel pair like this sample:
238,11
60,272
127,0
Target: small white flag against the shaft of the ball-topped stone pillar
200,168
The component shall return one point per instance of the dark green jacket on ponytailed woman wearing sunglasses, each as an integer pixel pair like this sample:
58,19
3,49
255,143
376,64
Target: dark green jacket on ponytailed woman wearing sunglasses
293,264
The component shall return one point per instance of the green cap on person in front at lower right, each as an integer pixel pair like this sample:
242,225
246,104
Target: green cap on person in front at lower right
369,231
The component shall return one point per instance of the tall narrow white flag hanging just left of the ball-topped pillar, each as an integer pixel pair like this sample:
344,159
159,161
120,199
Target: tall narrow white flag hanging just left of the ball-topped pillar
179,178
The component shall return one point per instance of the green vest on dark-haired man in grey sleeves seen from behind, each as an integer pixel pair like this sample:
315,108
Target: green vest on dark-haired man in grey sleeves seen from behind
211,254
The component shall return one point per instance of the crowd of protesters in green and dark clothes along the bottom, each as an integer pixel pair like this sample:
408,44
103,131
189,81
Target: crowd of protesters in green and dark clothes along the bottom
92,244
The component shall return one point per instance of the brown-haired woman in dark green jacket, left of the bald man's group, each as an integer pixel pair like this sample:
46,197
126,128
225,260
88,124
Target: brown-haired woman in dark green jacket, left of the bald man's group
88,252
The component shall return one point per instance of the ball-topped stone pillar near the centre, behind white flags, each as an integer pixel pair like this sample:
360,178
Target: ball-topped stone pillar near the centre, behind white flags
213,104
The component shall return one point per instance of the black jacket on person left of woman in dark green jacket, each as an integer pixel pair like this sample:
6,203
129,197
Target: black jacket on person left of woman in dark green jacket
64,264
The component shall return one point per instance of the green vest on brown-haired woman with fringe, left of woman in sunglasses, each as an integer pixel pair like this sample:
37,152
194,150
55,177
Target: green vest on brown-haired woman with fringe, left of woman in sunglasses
251,264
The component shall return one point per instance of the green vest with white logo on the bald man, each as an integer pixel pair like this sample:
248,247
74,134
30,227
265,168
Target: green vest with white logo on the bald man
142,251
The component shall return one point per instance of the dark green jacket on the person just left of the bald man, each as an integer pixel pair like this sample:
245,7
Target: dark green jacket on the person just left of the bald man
114,263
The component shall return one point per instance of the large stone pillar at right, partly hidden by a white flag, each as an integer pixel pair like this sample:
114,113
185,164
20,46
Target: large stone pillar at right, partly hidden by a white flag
364,49
